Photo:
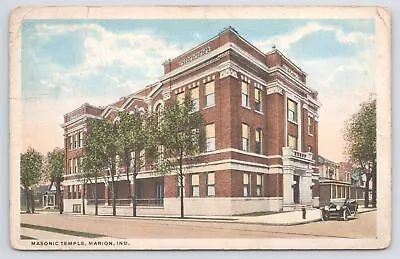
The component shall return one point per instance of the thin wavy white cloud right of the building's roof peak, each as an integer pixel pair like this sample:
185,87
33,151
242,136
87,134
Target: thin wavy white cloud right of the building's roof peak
284,42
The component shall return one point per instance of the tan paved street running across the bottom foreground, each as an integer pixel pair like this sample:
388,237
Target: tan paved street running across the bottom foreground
127,228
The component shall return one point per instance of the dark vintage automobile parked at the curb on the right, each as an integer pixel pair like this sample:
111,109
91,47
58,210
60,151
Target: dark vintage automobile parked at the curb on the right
340,209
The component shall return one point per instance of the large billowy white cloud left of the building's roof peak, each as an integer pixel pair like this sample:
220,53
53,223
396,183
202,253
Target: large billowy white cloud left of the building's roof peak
138,54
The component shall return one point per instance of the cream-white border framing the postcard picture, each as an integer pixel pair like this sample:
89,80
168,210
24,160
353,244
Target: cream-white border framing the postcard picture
383,83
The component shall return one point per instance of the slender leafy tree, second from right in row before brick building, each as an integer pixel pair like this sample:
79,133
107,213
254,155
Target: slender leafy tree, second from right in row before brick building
134,137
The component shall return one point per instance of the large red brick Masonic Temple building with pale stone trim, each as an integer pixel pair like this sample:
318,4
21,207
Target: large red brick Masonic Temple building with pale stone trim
261,129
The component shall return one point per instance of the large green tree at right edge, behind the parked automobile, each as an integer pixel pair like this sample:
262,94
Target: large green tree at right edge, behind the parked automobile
360,135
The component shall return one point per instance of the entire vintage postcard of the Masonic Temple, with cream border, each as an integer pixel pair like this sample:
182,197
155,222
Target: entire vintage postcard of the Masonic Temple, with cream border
200,127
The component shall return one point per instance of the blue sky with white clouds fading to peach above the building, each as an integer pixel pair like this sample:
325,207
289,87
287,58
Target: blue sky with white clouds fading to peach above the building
68,62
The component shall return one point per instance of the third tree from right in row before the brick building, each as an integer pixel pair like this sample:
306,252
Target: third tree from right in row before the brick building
101,145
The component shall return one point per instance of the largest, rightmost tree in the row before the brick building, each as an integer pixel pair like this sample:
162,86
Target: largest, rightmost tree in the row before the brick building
180,142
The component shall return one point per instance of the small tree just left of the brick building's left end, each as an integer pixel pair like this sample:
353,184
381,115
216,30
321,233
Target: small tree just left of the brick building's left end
54,167
